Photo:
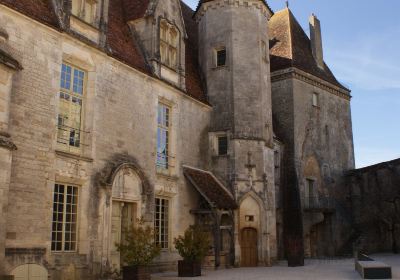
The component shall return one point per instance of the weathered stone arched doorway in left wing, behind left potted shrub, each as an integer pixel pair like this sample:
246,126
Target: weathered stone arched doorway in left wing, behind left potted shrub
126,195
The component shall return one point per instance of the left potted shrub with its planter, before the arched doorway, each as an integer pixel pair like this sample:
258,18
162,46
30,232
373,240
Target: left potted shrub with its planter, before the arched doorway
137,251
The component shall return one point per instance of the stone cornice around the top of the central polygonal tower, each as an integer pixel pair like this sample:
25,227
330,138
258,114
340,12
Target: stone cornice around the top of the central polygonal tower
236,3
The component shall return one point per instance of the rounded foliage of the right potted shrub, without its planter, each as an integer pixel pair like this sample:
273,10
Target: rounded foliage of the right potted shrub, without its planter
193,245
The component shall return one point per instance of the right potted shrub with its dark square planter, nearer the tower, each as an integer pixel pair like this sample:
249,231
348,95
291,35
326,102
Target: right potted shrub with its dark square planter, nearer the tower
193,247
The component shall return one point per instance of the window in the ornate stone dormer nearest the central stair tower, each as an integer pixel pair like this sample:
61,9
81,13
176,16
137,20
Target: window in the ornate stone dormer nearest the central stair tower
169,38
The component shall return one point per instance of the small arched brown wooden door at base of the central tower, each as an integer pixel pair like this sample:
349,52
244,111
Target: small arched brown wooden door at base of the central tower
249,256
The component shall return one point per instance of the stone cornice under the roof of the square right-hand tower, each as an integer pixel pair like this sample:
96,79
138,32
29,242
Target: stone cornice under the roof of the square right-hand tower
294,73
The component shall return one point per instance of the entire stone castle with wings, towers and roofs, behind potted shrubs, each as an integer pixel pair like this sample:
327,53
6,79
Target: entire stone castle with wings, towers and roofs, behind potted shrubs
112,110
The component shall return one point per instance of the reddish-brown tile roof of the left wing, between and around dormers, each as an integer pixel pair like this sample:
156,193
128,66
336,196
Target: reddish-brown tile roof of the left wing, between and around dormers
121,44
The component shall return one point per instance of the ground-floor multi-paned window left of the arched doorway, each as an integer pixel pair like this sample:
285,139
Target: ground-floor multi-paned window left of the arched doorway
65,218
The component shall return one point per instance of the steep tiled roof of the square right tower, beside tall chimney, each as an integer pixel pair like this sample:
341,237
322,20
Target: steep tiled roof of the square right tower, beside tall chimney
291,47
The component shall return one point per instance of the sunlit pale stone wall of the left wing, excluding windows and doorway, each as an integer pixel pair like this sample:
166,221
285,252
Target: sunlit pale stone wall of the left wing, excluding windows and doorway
120,117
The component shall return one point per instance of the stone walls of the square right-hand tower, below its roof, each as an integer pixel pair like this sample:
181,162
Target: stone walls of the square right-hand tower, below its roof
312,136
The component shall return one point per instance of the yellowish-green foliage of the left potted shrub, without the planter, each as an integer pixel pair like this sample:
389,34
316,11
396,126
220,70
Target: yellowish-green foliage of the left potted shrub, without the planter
139,247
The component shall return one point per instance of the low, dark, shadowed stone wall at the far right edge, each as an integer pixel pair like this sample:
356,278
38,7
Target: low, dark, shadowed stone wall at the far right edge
374,193
